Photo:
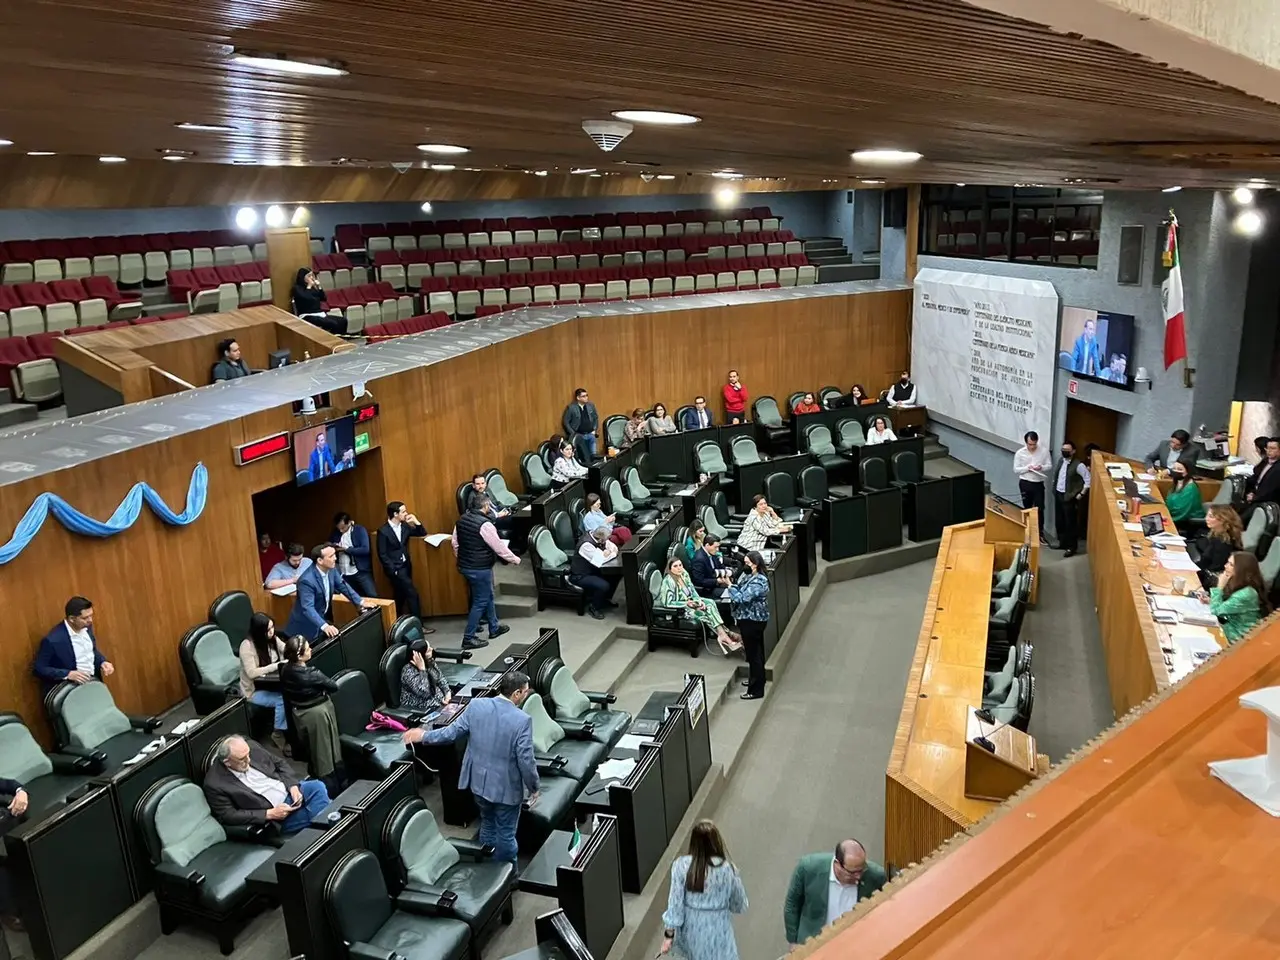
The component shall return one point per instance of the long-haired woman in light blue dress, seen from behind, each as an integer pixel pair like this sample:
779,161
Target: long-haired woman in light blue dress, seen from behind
706,889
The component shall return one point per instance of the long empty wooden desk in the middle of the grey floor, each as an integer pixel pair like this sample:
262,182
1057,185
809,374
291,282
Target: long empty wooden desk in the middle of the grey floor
925,801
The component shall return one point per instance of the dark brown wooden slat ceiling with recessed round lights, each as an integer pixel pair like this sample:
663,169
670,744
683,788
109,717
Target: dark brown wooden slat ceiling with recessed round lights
785,90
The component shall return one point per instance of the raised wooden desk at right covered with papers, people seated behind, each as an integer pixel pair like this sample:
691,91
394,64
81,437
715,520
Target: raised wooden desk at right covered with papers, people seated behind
1131,637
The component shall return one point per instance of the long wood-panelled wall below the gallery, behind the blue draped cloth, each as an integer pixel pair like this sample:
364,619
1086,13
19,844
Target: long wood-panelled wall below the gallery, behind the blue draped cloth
437,427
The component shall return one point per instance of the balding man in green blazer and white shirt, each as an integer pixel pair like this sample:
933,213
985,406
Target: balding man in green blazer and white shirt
825,889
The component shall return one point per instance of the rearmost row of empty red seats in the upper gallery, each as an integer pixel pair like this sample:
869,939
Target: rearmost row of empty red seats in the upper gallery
543,230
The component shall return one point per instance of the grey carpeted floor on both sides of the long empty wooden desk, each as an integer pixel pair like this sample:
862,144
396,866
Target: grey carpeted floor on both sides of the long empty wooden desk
815,771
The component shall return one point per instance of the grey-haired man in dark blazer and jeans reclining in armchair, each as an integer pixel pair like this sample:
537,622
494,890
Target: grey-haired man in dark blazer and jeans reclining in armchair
250,787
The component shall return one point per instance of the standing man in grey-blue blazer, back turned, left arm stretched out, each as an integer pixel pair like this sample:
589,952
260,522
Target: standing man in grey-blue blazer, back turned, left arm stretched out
499,766
